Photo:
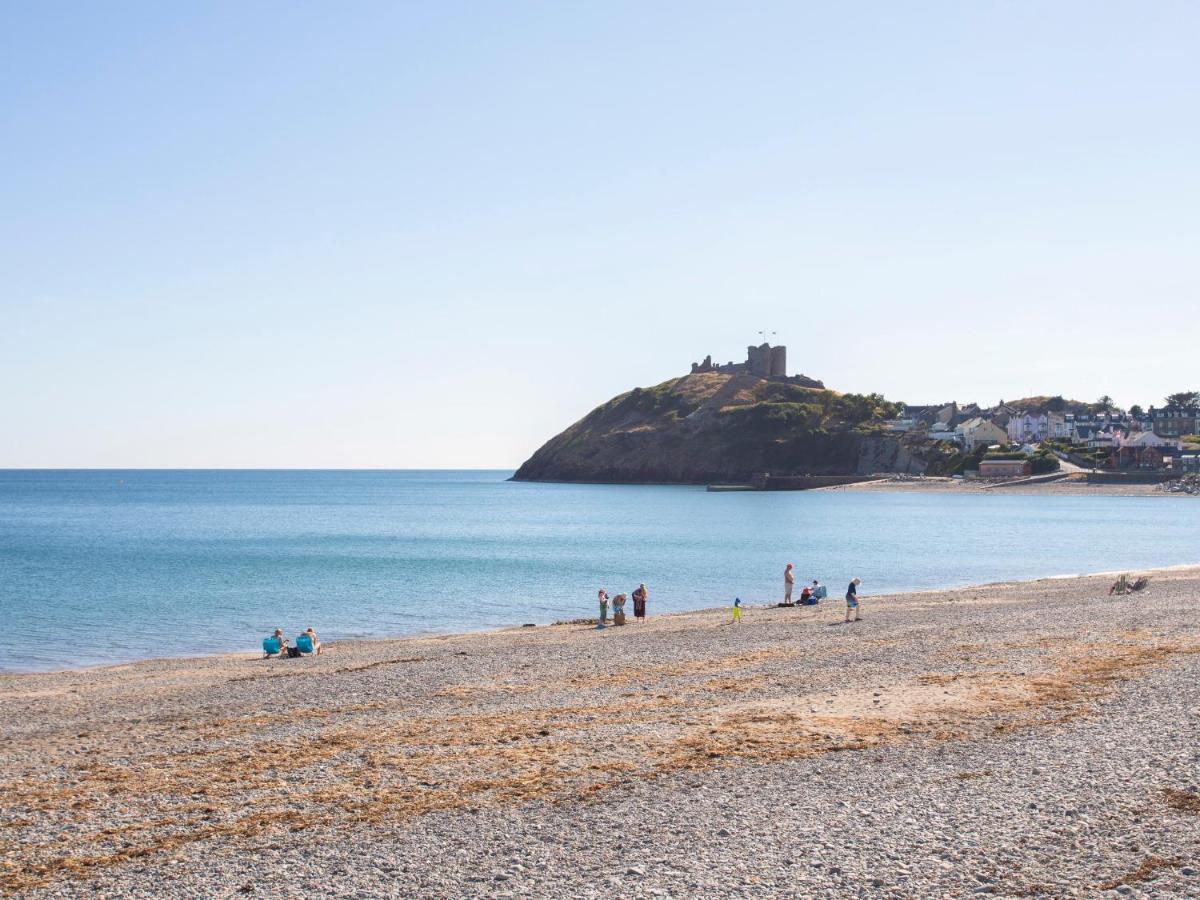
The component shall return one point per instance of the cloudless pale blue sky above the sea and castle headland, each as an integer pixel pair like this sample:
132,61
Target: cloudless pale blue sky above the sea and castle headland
435,235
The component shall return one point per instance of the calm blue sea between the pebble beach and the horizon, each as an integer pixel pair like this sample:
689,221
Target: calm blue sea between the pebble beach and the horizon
105,567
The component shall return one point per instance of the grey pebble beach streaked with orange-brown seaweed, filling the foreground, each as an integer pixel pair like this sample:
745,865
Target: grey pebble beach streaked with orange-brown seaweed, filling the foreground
1019,740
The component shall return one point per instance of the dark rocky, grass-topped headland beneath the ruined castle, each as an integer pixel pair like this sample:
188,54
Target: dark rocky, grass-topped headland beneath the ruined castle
710,428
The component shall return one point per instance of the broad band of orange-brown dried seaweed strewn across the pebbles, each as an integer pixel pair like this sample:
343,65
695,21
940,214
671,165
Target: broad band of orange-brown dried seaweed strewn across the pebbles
411,764
